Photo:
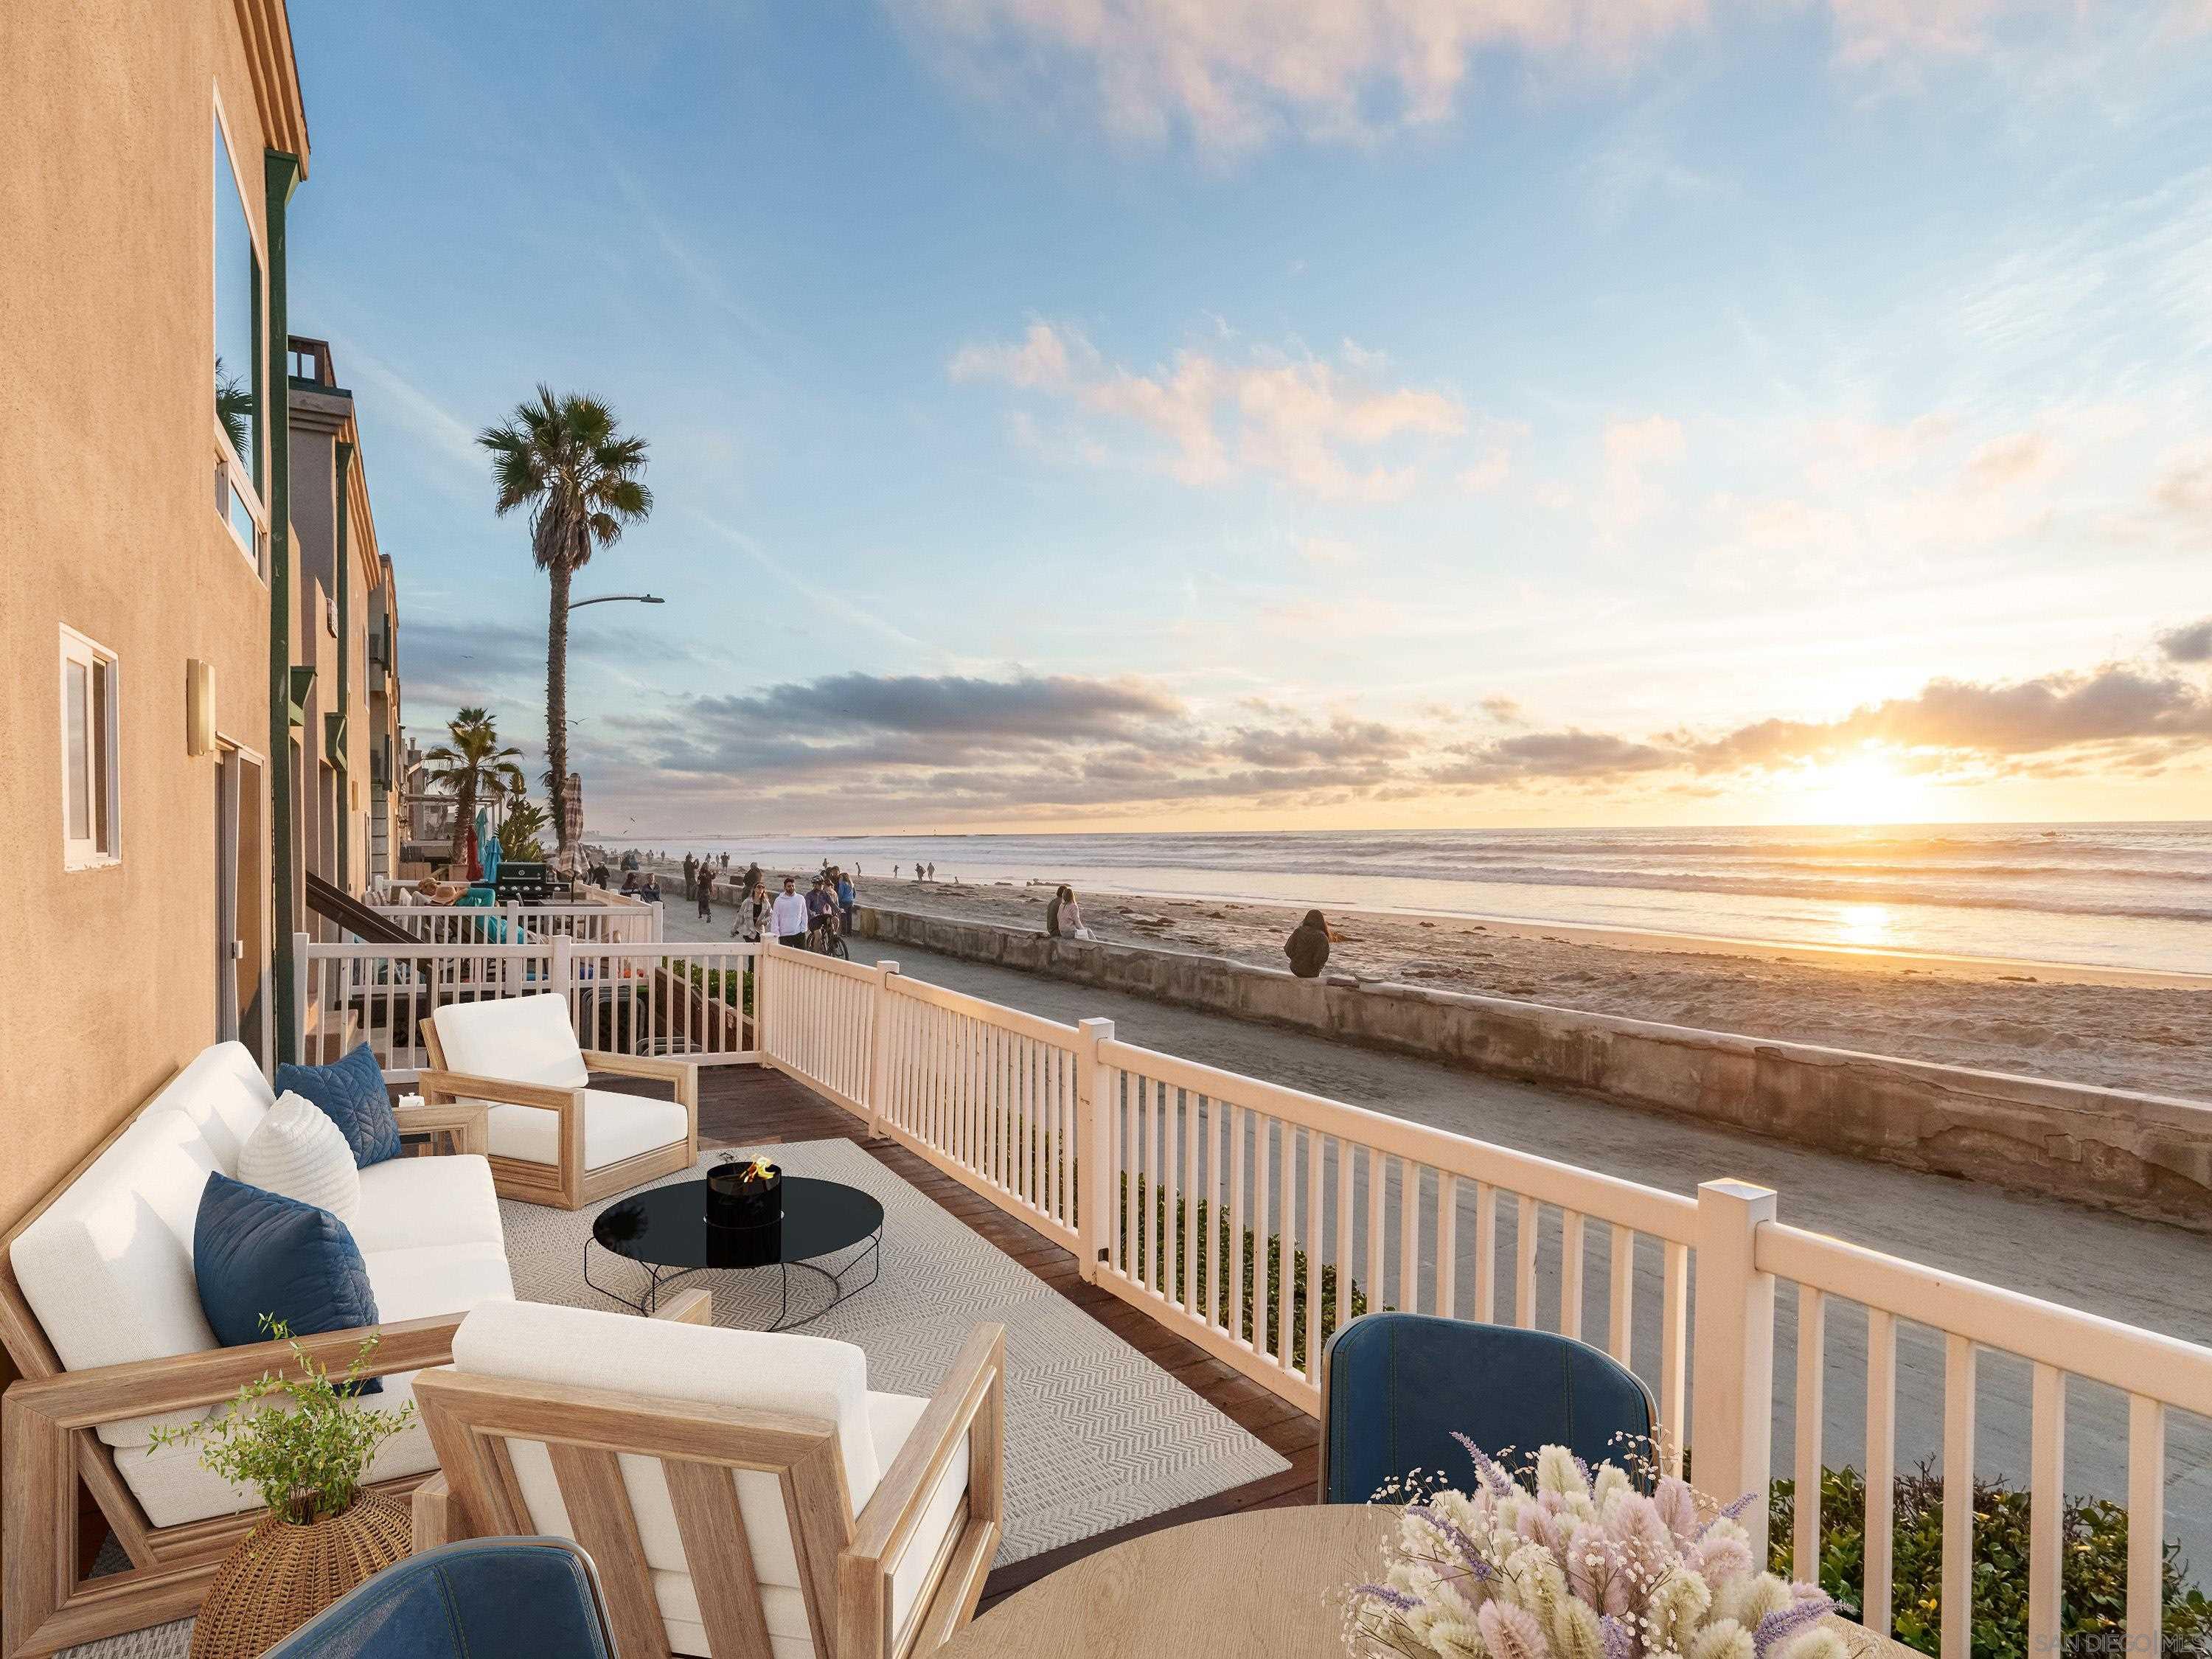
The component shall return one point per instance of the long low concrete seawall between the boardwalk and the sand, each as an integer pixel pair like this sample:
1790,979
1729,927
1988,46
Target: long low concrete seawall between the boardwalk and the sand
2145,1156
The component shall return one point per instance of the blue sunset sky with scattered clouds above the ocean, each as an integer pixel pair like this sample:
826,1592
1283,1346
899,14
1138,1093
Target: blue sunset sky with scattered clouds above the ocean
1178,415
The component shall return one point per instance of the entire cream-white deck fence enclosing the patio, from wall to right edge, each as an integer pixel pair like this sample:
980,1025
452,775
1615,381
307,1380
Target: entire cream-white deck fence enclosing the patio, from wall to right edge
1255,1220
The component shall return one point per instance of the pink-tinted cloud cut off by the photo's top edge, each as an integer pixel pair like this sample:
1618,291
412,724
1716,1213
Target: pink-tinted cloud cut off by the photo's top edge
1235,74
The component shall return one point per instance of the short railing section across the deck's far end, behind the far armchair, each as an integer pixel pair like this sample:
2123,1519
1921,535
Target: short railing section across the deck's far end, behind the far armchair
627,999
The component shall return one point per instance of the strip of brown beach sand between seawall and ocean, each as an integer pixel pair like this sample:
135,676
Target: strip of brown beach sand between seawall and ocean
2069,1025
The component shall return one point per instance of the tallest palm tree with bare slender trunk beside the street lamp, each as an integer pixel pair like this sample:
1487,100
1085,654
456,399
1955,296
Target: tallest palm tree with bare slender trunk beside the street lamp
565,461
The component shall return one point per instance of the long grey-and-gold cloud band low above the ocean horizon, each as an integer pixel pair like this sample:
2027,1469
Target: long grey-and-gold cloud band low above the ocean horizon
950,749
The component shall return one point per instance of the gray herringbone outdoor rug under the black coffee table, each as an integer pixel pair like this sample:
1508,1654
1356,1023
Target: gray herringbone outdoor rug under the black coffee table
1096,1434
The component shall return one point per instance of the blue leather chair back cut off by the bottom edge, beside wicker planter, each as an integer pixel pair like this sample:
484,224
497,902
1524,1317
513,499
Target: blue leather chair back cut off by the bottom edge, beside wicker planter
488,1598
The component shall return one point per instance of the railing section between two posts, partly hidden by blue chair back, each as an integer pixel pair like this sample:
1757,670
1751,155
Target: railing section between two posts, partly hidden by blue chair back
1417,1218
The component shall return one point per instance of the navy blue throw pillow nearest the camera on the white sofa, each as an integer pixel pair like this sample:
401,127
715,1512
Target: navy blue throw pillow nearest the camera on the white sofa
260,1253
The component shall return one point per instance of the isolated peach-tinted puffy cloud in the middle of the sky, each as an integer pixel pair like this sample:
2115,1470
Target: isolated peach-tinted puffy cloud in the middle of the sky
1315,424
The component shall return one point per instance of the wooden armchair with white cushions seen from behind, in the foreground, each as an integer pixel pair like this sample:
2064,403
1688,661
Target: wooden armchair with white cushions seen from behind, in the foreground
831,1519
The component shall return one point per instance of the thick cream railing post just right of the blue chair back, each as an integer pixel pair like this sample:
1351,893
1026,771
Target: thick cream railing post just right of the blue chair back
1733,1357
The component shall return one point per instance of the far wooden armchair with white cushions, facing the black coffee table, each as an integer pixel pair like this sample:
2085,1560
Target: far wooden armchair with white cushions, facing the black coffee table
550,1136
